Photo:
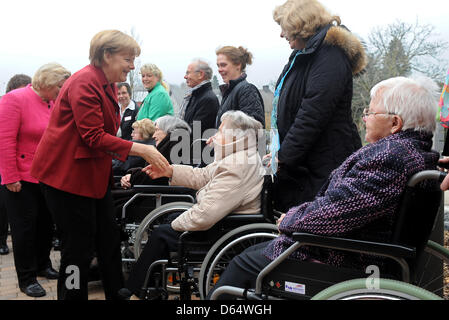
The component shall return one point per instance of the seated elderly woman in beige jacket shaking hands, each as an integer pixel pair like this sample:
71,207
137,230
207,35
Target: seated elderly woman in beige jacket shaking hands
232,183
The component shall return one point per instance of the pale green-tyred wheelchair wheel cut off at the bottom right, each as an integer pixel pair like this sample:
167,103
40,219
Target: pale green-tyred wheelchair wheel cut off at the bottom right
387,290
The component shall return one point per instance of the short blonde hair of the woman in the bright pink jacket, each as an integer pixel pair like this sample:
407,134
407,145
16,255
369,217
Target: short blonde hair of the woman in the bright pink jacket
49,75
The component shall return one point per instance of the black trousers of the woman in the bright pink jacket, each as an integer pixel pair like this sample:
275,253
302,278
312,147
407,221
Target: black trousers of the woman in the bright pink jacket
31,231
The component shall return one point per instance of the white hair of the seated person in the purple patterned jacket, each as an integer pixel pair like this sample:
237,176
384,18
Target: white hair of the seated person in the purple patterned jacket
415,100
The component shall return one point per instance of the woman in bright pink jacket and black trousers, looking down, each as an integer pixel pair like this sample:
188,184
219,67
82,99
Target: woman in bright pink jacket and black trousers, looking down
24,115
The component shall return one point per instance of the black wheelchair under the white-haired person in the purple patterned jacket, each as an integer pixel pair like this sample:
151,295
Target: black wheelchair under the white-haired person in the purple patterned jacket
410,254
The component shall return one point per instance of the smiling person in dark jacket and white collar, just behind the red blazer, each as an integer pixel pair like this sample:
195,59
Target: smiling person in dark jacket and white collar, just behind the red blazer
128,110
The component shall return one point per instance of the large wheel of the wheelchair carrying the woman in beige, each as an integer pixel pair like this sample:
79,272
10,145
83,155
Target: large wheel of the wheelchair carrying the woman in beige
229,246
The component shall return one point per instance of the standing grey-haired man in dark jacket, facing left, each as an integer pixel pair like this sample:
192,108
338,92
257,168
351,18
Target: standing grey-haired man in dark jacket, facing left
200,105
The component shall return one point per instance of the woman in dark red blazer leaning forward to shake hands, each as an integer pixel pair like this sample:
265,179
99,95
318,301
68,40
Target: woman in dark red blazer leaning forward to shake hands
73,164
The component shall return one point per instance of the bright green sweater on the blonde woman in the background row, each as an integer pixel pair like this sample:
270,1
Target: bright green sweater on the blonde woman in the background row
156,104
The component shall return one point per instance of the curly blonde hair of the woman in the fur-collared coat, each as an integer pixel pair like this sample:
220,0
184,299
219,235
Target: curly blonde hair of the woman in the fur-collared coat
302,18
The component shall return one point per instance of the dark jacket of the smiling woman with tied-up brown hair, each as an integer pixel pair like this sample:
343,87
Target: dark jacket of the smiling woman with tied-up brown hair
244,96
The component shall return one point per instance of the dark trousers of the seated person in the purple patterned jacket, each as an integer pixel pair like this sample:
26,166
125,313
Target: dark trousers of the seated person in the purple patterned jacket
243,270
